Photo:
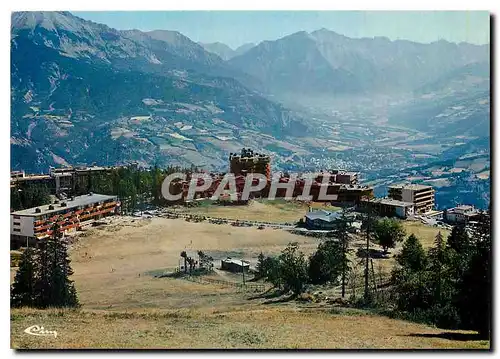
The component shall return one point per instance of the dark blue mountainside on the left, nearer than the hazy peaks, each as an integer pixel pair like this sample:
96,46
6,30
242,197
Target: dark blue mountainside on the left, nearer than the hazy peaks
80,91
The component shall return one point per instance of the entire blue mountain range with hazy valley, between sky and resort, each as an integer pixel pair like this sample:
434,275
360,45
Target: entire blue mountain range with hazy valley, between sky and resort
82,92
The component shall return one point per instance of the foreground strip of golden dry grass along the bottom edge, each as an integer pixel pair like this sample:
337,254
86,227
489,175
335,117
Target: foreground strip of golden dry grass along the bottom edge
271,327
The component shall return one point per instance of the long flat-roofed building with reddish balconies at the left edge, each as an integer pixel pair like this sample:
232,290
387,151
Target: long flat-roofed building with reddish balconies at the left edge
70,214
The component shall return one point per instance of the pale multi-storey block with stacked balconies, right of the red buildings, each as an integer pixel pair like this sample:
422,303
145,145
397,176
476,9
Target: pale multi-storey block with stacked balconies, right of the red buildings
422,196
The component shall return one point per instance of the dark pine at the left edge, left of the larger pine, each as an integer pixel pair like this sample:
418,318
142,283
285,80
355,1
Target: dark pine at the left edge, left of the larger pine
22,292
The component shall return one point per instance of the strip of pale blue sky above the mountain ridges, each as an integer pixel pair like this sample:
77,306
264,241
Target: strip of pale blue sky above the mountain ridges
235,28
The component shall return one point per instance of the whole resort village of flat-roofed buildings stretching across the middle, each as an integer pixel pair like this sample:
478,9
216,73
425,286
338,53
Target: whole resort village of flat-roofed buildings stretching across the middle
69,192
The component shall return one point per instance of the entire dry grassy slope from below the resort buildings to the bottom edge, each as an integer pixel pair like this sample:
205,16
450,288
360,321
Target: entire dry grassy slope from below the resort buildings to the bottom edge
123,307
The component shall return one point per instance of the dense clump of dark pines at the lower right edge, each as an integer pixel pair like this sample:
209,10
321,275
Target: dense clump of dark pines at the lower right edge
454,289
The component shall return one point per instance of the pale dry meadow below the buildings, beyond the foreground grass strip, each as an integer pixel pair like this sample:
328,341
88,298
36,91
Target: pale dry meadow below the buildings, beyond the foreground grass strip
114,266
